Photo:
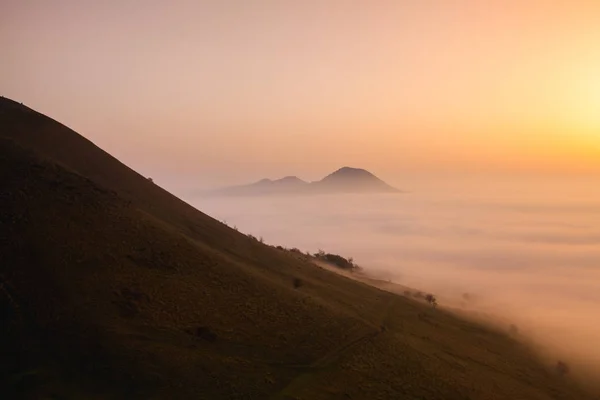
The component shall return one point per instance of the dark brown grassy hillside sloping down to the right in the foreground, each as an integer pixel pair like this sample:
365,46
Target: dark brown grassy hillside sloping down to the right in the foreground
110,287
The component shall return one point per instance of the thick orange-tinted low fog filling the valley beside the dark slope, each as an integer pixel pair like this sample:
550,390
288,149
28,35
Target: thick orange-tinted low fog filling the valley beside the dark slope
527,253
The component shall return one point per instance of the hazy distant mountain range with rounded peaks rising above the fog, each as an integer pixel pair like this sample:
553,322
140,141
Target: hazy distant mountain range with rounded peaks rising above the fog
344,180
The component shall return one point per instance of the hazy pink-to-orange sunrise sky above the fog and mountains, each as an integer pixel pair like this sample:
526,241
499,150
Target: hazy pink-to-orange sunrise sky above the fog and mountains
220,92
